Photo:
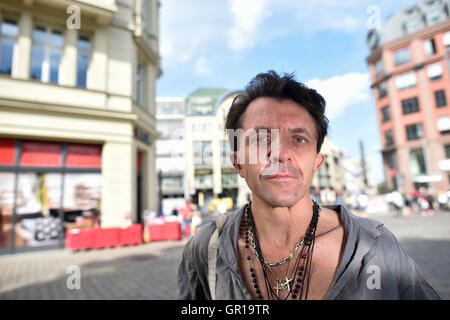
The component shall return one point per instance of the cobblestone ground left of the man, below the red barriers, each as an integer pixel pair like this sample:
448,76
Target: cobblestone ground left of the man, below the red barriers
146,271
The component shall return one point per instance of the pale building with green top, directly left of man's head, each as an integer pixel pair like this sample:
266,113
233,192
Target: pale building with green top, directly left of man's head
209,173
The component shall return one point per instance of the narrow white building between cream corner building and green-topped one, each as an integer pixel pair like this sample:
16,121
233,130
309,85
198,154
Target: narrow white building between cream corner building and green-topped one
170,150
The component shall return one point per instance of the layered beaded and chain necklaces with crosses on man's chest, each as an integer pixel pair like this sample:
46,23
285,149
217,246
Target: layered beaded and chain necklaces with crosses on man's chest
299,287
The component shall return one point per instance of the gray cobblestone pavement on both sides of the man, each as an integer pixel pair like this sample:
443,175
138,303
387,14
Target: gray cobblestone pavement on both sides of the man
148,271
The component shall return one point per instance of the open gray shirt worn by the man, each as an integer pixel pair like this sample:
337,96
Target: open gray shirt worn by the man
374,265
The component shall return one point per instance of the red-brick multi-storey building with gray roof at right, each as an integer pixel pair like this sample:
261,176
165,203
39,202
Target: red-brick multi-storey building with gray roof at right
409,64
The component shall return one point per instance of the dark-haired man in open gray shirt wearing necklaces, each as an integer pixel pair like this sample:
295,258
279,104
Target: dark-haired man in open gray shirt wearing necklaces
282,245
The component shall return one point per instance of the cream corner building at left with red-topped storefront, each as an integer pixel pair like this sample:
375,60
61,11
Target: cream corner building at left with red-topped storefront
77,116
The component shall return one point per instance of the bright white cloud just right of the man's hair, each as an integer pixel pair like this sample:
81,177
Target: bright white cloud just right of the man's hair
342,91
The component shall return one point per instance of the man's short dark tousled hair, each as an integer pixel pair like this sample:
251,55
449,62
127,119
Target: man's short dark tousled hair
270,84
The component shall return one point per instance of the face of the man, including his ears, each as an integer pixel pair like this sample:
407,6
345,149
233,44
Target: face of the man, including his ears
282,175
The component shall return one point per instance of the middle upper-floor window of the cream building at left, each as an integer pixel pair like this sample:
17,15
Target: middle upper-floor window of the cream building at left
46,54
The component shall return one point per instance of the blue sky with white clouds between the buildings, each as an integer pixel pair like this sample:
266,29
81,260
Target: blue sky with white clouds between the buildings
224,43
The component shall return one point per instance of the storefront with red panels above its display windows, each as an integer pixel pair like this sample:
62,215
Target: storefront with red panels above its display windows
45,188
